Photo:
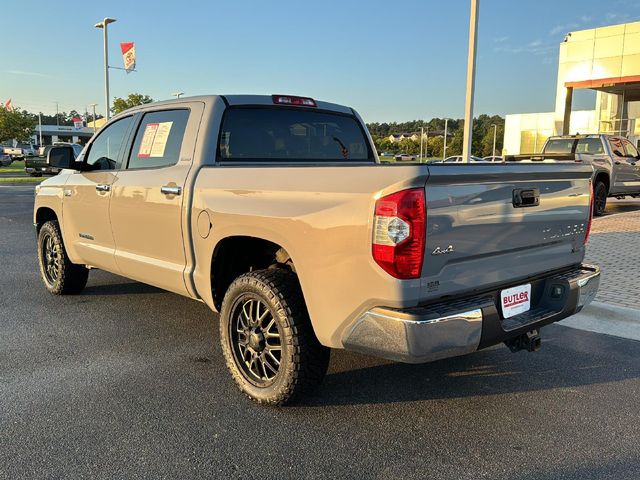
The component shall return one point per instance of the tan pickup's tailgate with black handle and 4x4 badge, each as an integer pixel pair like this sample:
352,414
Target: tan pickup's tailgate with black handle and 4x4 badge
482,230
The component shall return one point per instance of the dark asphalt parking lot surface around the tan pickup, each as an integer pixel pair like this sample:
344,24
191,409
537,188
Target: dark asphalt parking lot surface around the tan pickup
126,380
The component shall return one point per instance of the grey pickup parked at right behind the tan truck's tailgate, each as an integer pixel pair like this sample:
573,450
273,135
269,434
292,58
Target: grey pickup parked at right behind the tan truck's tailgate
615,161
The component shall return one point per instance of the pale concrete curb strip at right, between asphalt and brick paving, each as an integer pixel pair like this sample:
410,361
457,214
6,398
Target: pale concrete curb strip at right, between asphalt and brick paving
605,318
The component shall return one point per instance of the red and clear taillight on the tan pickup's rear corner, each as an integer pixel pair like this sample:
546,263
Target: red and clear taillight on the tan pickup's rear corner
399,233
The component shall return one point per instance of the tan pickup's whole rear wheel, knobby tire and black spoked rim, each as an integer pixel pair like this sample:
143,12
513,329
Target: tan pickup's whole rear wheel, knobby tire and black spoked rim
267,339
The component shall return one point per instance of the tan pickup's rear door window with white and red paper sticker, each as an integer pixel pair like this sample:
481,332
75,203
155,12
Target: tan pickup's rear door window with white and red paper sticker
159,139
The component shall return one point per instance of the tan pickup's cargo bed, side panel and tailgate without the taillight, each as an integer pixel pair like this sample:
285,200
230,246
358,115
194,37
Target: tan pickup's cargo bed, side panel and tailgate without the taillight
323,217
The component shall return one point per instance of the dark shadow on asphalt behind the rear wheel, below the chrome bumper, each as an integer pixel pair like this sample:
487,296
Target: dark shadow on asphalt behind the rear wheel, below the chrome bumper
568,358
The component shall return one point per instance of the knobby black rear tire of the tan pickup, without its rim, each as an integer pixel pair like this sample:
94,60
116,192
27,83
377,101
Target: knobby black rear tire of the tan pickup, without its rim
303,361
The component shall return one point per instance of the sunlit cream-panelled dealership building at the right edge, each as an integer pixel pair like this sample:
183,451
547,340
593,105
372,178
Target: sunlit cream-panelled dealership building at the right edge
605,60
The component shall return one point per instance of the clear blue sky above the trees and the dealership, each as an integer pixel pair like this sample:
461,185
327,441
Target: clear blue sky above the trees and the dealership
392,61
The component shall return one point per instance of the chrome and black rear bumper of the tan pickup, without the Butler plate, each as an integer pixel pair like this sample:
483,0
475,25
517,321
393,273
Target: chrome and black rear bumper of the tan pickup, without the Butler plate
463,325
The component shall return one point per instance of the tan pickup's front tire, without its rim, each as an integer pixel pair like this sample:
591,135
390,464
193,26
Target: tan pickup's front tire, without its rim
70,278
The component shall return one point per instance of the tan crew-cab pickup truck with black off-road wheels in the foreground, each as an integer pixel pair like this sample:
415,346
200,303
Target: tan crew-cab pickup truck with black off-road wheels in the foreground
276,212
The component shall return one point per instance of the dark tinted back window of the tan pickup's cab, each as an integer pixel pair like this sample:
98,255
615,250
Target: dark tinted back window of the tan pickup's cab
273,135
